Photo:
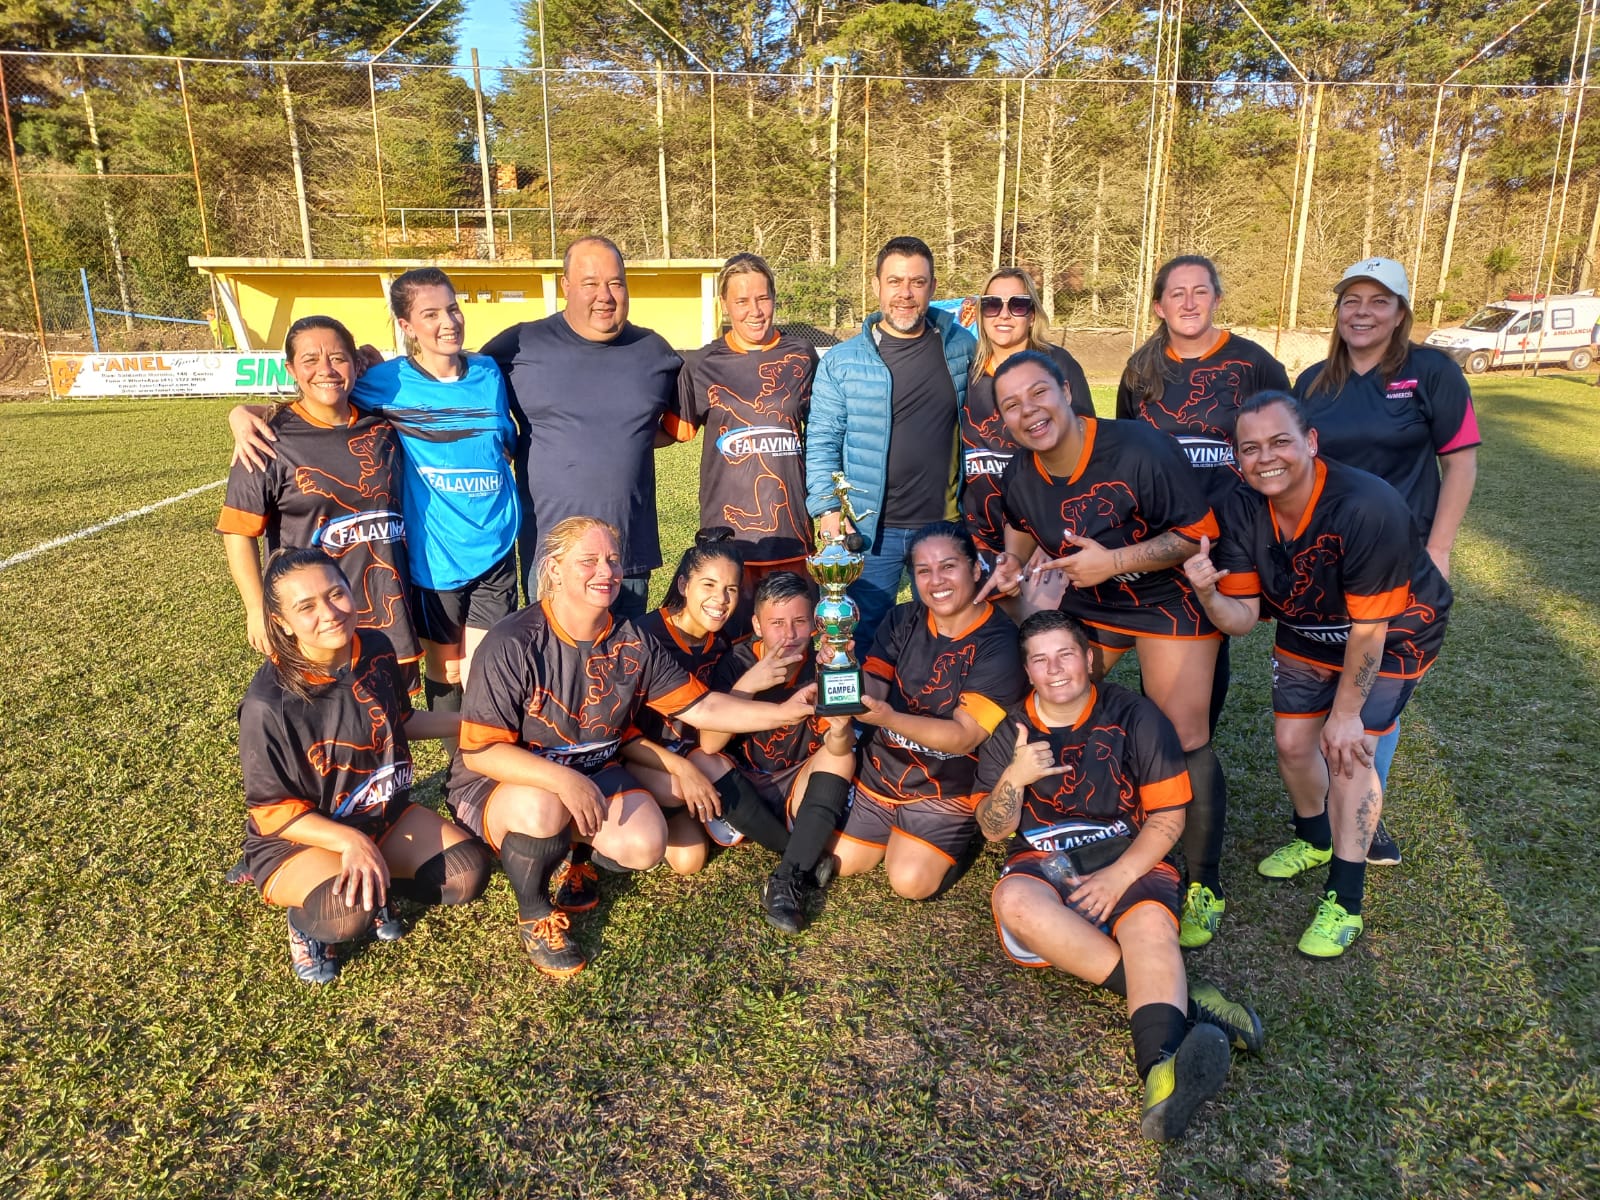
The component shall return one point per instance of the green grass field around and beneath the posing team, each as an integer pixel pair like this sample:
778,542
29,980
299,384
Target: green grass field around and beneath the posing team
154,1042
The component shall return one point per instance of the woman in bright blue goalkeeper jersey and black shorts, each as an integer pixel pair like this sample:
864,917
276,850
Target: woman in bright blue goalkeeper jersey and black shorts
457,492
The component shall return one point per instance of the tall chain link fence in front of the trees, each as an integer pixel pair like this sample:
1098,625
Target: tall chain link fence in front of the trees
122,169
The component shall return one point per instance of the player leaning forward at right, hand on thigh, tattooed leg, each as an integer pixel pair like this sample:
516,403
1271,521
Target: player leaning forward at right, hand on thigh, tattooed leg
1334,554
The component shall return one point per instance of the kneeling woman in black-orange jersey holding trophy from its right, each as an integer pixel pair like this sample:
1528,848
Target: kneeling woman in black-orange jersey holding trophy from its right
942,673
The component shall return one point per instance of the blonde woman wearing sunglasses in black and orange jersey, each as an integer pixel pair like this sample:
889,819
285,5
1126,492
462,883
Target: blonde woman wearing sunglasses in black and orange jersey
1009,322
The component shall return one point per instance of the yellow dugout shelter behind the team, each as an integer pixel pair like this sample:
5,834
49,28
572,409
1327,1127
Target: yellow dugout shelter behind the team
262,297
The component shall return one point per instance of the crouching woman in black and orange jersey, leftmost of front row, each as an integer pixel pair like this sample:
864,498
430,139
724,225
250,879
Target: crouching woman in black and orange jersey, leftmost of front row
324,730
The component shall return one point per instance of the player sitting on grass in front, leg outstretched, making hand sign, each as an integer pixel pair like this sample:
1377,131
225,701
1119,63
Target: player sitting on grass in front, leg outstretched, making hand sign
1089,786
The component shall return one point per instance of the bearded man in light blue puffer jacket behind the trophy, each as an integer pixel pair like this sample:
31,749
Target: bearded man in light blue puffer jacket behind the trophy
884,410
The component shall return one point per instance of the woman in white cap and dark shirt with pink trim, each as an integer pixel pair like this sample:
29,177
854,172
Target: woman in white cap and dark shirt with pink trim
1401,412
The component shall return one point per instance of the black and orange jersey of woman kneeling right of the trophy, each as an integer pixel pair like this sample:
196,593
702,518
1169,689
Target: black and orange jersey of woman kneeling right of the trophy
934,676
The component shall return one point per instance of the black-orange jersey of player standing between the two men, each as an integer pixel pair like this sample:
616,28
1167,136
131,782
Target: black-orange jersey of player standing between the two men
753,407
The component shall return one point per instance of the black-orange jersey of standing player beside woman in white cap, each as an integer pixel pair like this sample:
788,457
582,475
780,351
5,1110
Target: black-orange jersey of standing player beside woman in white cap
1199,404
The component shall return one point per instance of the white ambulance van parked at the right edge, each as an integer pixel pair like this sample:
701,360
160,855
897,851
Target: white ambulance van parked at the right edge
1524,330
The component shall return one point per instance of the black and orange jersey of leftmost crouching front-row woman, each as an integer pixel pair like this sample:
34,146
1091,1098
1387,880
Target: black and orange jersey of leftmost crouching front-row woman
343,754
